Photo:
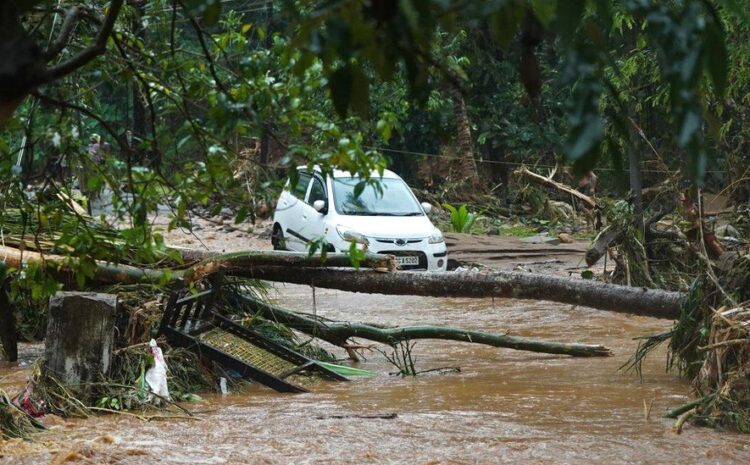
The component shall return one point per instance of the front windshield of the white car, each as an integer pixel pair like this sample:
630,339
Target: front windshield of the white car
395,199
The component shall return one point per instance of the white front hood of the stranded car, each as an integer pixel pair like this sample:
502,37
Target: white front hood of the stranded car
394,227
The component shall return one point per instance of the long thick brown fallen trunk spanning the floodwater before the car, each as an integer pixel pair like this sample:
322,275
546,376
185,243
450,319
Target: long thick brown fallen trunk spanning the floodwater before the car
622,299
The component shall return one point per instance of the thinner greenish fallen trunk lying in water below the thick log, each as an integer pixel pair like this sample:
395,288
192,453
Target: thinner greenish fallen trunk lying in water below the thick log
338,333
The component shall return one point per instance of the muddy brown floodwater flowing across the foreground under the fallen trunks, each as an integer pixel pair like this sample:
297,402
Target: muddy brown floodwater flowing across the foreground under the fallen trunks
503,407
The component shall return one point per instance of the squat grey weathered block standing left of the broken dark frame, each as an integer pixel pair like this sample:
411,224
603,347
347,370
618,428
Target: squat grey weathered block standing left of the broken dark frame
80,335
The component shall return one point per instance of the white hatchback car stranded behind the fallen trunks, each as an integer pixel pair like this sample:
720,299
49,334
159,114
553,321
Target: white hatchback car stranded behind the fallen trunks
393,222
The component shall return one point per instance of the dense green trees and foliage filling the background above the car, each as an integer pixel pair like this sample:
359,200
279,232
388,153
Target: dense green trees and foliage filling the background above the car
208,104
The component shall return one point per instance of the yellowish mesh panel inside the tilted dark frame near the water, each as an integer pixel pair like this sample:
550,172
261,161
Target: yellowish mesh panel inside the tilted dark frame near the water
247,352
